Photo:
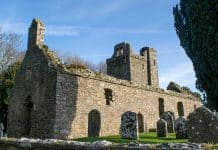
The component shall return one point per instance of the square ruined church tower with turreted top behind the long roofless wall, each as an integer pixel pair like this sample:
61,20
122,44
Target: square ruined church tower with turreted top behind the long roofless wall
126,65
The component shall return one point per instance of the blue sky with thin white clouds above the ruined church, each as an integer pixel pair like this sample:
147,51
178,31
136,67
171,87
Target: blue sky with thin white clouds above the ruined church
90,29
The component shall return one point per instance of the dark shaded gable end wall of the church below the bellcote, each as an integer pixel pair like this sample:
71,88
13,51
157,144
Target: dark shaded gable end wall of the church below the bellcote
32,100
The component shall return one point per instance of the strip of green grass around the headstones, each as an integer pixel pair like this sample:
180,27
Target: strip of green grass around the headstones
149,137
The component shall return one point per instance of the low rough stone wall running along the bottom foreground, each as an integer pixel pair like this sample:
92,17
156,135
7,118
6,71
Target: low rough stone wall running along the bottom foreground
53,144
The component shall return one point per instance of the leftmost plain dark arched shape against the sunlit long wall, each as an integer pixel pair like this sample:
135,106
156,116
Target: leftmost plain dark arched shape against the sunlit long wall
94,123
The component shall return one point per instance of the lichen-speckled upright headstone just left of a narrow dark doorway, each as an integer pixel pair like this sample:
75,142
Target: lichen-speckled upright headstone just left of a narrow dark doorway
129,125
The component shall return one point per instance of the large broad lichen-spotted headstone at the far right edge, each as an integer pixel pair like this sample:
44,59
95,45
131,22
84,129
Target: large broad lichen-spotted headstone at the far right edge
202,126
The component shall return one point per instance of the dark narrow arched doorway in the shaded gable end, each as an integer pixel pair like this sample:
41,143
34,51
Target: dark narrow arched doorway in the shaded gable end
28,106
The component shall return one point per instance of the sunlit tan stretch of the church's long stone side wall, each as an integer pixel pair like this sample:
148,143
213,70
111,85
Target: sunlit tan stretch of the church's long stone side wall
125,98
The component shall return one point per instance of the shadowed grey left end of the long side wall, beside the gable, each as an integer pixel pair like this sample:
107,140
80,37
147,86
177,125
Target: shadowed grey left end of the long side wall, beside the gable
66,103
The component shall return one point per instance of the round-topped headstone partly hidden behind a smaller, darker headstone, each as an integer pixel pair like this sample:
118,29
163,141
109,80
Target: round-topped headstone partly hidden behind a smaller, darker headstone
170,119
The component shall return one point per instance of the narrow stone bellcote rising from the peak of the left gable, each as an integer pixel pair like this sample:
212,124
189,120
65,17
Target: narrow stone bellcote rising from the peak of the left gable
36,34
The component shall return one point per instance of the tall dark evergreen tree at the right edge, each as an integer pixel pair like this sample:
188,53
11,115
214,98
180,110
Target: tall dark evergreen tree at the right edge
196,24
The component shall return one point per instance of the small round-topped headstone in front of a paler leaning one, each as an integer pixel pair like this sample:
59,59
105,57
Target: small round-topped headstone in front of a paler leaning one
161,128
